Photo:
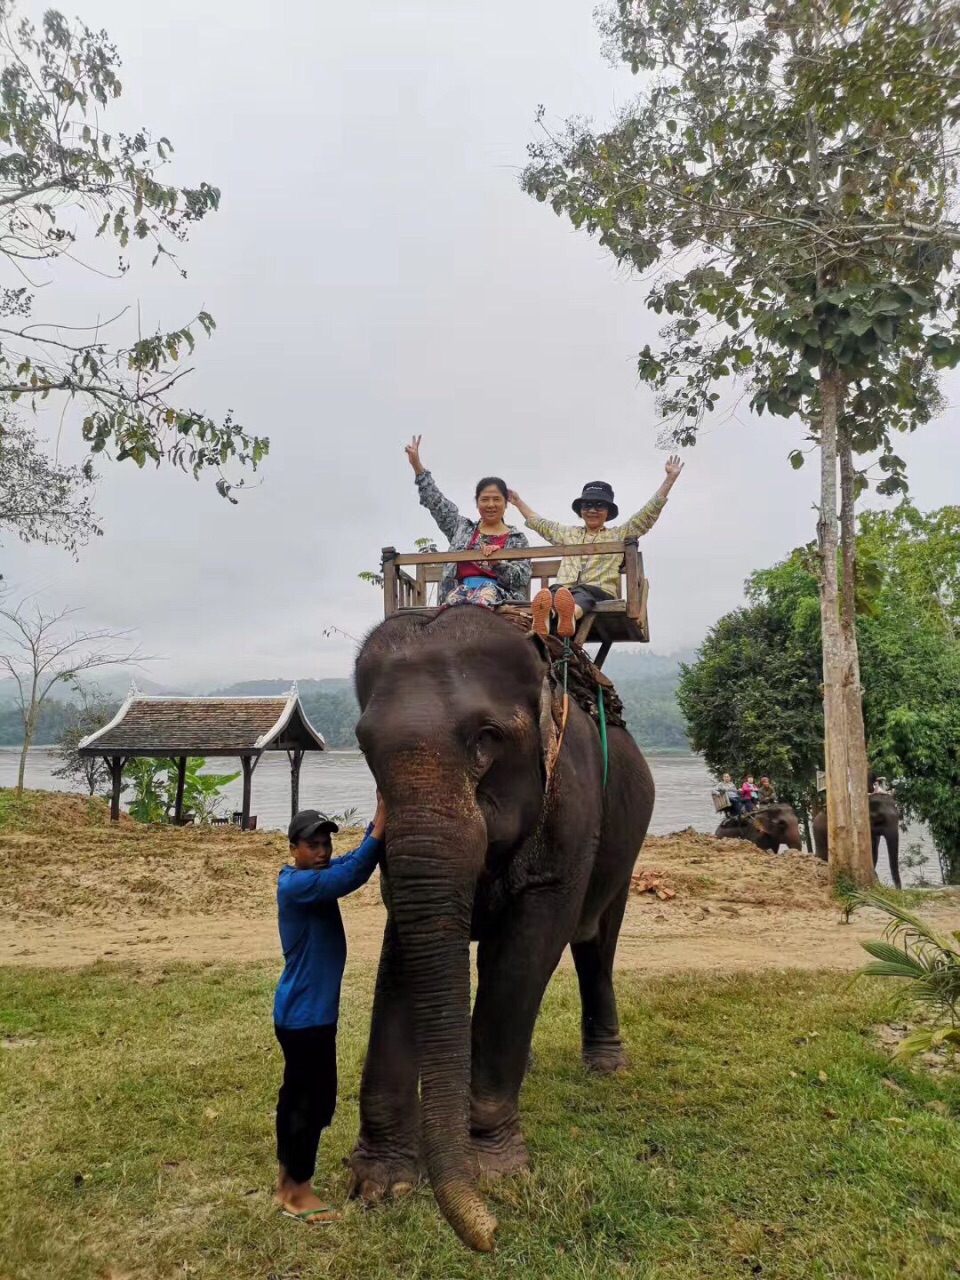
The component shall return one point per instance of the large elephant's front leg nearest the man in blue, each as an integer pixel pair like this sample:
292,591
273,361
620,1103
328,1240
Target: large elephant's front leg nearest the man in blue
387,1155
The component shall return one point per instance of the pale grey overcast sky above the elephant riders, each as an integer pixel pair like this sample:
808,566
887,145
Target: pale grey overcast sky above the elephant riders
377,272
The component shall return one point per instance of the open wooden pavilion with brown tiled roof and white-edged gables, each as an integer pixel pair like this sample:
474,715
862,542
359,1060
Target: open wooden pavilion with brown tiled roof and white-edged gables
176,729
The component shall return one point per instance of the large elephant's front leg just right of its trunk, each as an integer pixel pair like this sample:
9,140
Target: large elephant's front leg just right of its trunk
514,968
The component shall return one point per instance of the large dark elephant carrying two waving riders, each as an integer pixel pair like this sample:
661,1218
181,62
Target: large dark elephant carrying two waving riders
496,834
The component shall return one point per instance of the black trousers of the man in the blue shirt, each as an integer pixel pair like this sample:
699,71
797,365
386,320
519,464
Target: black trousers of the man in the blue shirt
308,1096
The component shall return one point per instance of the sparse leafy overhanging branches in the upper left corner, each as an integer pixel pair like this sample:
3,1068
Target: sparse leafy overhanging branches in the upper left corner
65,181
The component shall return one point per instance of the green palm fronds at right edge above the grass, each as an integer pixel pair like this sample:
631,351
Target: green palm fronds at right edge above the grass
930,964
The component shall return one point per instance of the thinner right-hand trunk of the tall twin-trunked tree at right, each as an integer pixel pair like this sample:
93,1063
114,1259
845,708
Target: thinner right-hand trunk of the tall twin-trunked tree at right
853,689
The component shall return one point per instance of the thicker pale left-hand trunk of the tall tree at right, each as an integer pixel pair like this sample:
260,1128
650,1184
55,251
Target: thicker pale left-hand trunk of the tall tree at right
845,853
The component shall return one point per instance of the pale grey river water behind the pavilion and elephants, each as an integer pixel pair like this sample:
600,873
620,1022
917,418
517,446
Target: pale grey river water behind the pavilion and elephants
340,781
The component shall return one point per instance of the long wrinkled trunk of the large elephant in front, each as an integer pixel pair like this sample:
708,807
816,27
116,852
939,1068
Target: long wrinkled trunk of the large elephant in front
435,861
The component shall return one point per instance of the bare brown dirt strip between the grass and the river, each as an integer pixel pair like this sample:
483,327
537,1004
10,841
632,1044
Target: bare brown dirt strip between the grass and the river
75,890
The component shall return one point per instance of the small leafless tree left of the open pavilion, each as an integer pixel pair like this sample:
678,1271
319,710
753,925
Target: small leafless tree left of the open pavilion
40,651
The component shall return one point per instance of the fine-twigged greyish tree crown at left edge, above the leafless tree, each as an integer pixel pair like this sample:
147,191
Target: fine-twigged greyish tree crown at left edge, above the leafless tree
40,499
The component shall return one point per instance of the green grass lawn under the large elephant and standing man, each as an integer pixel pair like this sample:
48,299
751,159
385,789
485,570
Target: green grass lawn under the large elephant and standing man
761,1133
